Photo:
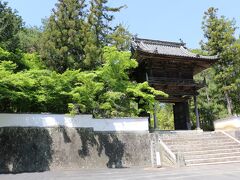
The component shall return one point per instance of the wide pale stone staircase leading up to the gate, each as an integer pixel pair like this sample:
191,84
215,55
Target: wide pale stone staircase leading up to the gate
202,148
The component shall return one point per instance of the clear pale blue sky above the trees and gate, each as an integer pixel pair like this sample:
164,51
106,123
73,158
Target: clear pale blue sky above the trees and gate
157,19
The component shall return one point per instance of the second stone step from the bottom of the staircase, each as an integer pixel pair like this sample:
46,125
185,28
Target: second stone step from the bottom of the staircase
213,155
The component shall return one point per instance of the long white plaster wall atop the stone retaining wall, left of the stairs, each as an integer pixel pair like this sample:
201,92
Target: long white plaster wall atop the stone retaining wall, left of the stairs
78,121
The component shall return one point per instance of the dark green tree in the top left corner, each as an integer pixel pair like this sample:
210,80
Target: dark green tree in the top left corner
10,25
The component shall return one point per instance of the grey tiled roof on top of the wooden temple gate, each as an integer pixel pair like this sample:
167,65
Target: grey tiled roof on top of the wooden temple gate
166,48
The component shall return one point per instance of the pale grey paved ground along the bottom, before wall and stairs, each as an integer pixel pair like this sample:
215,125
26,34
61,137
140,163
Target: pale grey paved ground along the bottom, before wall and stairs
211,172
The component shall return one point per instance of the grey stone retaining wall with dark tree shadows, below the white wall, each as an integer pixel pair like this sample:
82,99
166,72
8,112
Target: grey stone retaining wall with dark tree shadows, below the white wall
31,149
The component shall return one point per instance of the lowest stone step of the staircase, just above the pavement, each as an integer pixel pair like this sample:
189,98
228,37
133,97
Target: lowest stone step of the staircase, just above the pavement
213,160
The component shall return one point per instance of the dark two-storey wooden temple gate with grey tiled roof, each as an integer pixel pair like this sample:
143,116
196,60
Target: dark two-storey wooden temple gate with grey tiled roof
170,67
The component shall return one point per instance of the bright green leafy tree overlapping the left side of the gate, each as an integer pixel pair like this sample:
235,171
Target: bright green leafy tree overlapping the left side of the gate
108,92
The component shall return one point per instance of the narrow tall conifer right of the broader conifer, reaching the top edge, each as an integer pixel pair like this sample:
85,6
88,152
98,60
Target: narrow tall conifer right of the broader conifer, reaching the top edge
97,30
